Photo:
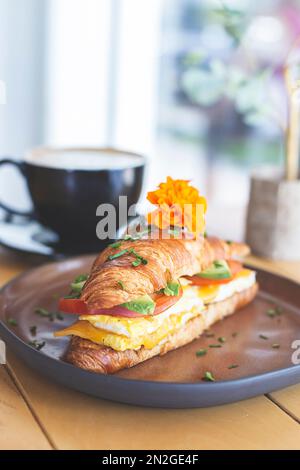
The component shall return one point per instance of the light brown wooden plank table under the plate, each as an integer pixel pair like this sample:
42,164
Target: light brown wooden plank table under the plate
38,414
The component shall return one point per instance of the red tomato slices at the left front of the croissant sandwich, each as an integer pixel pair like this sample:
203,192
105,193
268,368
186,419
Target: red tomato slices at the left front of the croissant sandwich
79,307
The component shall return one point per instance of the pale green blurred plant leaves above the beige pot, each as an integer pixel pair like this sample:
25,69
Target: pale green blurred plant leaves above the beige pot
207,80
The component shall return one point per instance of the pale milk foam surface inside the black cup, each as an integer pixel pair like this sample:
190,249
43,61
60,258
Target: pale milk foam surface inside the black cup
83,160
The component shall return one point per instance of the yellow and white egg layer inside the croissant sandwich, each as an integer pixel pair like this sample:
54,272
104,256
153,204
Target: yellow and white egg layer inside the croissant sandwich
132,333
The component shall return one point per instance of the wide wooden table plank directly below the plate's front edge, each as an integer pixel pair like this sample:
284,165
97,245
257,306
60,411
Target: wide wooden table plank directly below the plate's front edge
77,421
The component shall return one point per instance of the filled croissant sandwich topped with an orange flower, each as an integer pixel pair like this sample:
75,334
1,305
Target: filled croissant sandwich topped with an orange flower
145,297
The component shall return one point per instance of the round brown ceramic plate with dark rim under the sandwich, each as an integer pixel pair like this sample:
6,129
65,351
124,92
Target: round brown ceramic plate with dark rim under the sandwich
173,380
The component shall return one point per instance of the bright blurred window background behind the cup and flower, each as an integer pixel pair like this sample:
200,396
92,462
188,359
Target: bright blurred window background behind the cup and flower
196,85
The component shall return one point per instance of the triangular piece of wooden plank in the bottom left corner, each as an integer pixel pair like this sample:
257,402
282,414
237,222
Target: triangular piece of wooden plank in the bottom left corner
18,428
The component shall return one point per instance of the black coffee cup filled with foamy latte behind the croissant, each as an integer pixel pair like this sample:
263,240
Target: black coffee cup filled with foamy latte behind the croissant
66,191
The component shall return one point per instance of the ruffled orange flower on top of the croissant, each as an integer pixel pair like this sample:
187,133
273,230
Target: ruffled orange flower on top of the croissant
179,205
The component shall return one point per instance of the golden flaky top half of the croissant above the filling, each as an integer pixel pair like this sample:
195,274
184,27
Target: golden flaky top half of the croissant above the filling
115,281
